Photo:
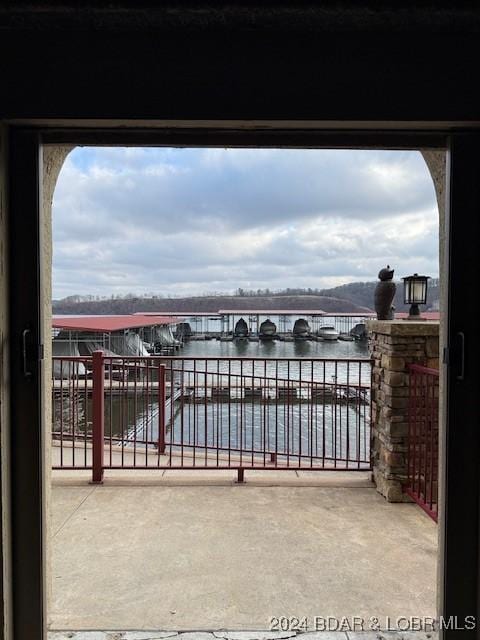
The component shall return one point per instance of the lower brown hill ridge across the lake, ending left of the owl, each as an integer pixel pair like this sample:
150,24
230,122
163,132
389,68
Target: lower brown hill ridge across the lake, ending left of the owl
212,304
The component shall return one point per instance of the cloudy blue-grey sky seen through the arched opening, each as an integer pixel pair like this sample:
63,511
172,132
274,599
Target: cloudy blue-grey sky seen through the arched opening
190,221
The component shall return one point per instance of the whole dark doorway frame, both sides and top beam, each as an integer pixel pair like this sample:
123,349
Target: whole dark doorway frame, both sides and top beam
461,472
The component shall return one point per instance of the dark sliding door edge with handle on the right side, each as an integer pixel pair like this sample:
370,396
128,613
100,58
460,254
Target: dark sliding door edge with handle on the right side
461,471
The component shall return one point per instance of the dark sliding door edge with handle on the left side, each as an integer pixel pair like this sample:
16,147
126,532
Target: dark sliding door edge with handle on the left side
26,415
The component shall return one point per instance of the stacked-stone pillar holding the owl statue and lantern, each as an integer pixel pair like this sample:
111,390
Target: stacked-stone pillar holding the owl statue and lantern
394,345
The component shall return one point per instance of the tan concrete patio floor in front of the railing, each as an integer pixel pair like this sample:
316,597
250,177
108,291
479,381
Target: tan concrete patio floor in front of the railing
182,551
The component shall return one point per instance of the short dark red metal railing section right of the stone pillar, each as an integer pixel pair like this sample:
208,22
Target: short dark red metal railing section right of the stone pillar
422,483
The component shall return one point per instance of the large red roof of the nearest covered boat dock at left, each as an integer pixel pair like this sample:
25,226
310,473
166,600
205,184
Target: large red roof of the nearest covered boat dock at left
107,324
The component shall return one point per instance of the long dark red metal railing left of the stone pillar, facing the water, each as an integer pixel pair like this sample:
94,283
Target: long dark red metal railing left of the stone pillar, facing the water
202,413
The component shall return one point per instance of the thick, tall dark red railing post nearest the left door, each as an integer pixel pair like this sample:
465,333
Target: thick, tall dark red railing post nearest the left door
98,415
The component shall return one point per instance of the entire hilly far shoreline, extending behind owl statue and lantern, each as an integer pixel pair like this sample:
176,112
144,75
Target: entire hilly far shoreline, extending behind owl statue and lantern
356,297
